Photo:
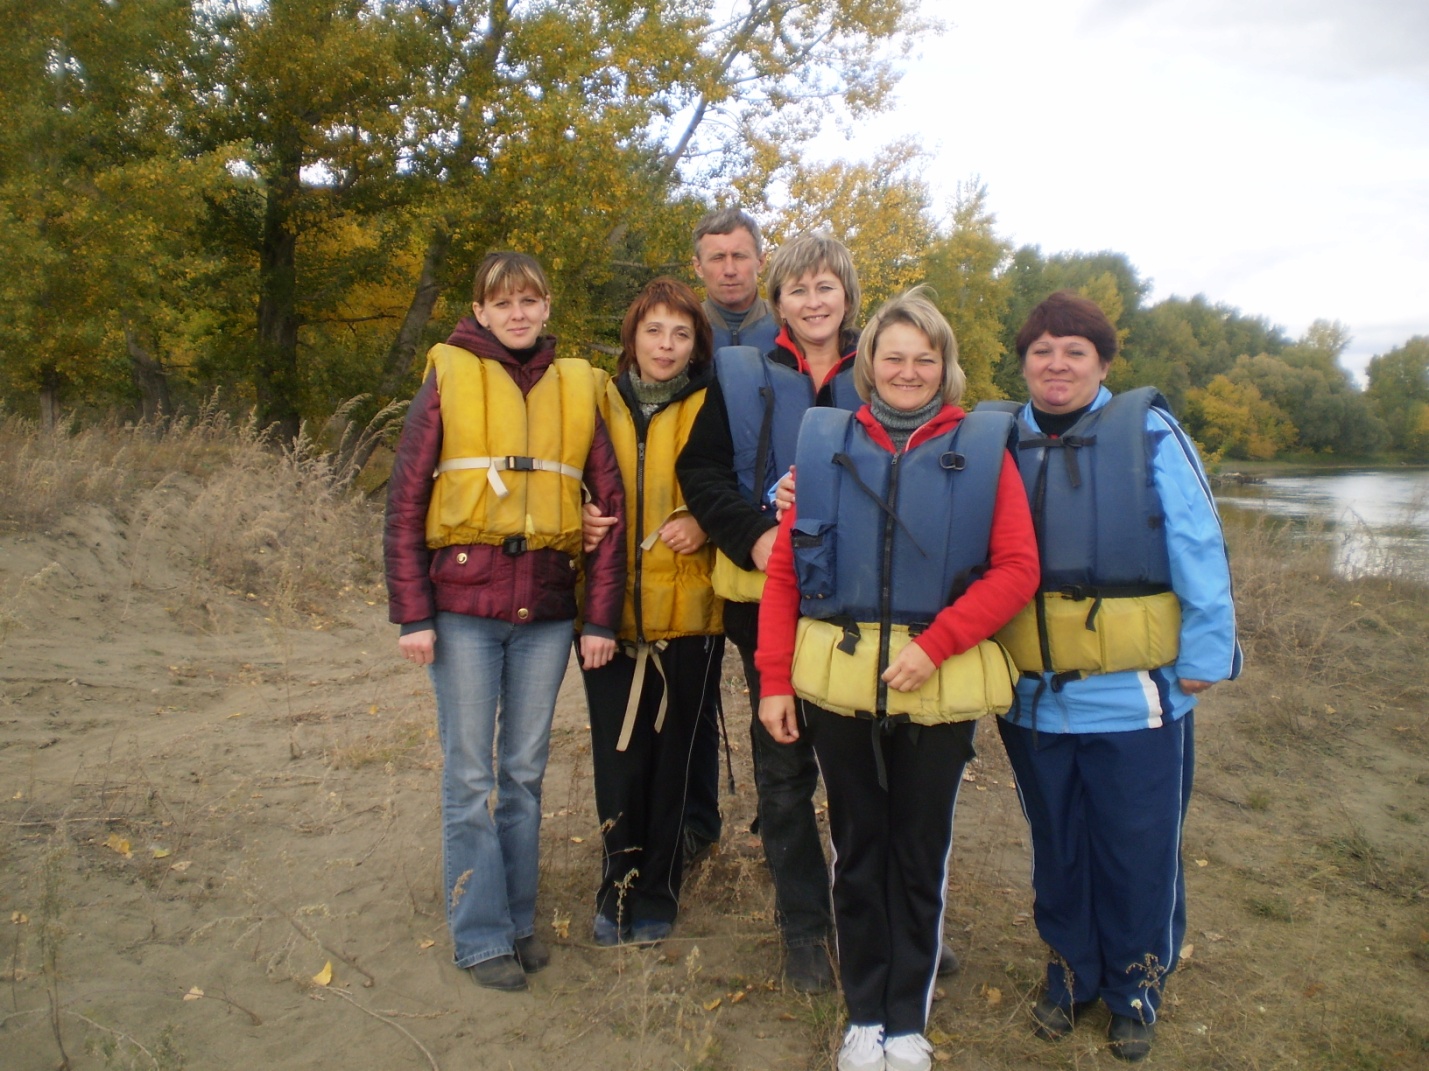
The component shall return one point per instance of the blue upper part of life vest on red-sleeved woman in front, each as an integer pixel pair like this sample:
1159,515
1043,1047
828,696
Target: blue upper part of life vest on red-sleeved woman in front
894,538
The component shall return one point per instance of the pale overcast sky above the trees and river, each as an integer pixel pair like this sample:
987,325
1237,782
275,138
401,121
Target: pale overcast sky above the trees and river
1273,155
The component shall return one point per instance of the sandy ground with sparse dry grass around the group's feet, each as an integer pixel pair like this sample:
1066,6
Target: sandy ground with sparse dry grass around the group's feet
315,837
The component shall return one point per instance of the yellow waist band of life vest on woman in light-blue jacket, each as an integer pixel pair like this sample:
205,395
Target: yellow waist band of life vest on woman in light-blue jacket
1097,636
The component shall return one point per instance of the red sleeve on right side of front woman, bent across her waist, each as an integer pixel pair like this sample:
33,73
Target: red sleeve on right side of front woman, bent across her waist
1008,586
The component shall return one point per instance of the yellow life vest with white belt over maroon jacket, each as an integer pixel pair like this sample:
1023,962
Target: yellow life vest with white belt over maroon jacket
511,465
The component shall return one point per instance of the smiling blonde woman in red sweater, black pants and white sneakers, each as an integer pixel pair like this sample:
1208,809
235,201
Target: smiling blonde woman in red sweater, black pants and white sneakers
911,546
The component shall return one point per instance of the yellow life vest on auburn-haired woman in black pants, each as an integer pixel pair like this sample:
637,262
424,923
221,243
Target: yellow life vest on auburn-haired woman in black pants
672,591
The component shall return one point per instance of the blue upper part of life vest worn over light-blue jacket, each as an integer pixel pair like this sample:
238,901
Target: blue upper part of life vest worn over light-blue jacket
1097,484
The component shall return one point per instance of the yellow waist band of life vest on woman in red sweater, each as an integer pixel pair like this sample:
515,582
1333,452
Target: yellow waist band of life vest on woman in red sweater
965,687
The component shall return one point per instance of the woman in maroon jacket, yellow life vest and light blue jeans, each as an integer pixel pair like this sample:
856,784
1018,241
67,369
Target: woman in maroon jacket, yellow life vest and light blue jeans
484,553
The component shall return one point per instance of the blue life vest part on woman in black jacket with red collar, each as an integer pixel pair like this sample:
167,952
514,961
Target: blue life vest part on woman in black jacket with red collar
767,401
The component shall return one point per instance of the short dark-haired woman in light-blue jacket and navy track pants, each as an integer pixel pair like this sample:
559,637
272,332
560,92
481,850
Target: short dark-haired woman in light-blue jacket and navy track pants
1132,621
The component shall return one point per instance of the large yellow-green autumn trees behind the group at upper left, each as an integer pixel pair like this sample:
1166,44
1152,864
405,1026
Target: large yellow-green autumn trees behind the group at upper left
324,174
